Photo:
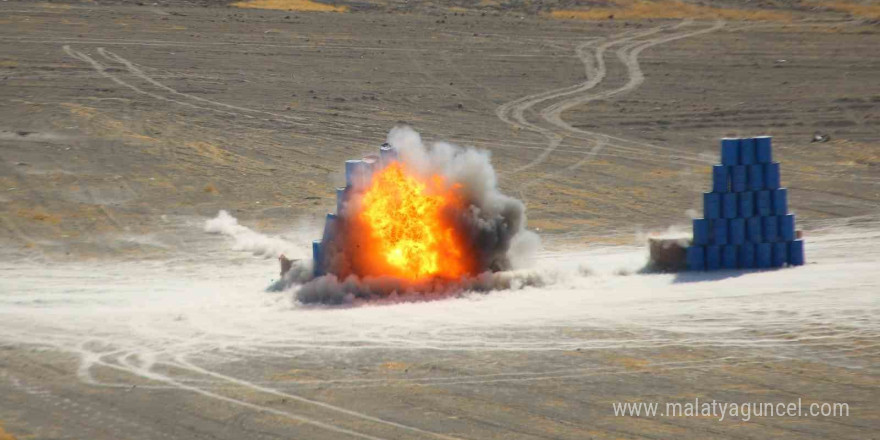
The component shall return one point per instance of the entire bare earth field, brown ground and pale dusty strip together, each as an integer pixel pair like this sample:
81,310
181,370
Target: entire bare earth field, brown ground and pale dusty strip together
123,127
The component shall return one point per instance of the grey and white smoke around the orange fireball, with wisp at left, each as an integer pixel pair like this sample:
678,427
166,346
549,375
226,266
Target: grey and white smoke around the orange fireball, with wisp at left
491,225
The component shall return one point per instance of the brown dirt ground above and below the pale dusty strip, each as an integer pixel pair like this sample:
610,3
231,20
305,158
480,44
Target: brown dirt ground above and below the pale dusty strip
124,124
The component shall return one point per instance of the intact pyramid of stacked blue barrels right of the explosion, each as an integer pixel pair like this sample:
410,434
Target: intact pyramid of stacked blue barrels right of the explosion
746,221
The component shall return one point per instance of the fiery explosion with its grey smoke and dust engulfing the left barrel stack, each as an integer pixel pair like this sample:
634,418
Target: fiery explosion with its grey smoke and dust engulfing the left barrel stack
416,220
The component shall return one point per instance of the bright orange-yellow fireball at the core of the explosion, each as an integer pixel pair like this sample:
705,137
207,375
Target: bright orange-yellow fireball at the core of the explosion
410,237
